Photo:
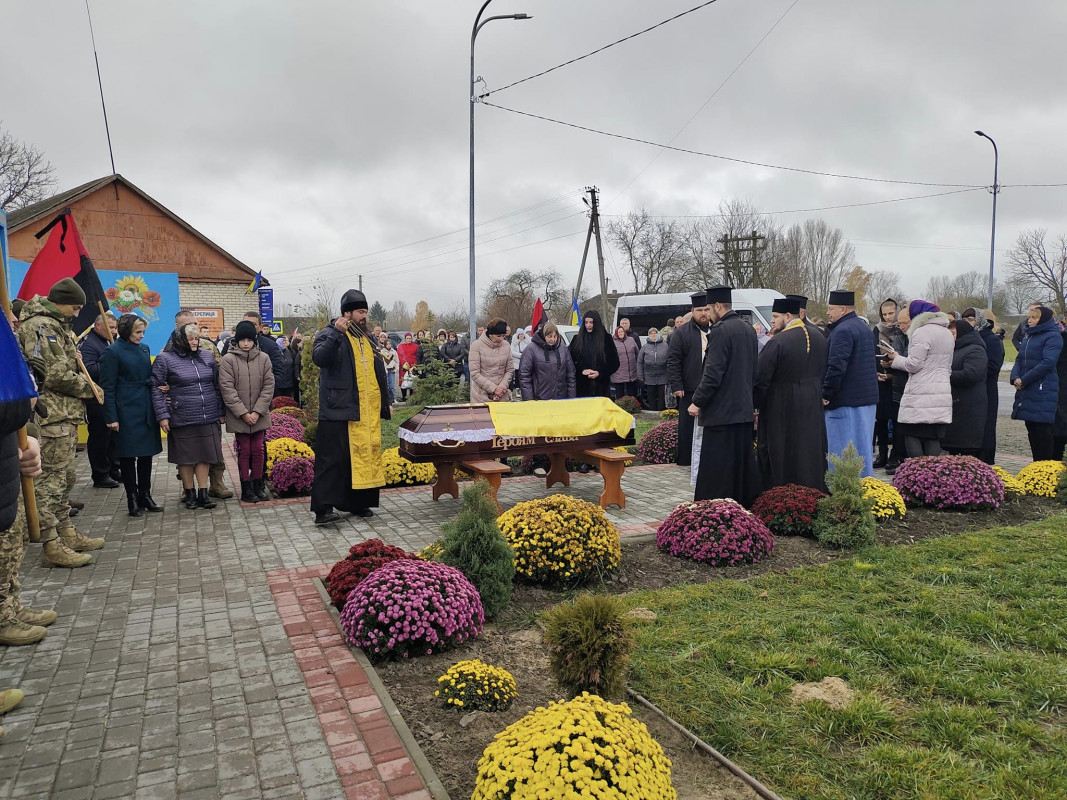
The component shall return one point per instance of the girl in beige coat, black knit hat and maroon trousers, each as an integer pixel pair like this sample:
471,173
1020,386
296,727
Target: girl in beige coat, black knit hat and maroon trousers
247,385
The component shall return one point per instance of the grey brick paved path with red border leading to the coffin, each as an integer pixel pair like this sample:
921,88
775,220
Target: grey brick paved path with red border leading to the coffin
170,673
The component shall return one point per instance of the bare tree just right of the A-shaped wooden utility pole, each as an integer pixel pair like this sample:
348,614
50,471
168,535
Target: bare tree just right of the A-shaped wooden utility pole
656,252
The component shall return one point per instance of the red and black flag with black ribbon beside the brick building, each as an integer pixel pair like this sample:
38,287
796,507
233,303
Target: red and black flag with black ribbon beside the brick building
65,255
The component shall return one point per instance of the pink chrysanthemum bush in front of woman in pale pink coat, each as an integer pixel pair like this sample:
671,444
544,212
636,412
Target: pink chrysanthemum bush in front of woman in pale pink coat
960,483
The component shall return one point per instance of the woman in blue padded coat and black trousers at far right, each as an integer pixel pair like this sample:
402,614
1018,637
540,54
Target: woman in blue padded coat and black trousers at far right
1037,382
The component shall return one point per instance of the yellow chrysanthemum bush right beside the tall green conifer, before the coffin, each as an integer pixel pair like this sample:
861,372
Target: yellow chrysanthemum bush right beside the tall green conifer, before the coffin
561,540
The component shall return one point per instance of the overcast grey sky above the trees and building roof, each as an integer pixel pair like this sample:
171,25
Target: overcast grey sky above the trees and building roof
295,135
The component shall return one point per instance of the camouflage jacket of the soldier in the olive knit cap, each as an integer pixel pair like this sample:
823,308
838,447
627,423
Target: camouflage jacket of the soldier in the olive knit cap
49,345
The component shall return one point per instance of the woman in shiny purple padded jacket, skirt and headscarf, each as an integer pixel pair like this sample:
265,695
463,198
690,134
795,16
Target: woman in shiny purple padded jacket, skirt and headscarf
185,396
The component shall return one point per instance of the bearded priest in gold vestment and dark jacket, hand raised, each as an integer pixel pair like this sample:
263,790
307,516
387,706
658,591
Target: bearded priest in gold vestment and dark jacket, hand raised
354,401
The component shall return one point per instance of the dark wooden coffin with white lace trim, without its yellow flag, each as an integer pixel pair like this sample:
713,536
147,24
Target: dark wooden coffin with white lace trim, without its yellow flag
461,433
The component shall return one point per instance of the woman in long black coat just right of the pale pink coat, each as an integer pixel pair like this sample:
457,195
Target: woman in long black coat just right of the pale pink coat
968,379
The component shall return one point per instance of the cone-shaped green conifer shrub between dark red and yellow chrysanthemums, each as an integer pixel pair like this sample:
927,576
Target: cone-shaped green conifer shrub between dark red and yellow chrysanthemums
845,519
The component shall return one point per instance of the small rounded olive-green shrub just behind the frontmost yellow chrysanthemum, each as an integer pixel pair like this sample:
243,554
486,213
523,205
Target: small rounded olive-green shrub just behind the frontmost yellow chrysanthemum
590,643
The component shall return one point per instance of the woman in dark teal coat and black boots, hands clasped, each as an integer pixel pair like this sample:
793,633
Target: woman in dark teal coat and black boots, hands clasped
126,380
